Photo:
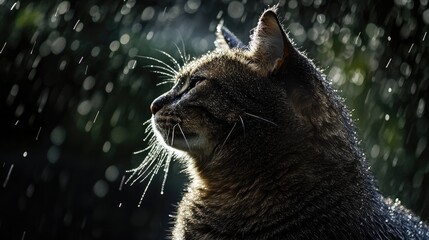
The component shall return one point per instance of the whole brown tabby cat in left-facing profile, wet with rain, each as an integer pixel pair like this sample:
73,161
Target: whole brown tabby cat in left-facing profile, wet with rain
270,148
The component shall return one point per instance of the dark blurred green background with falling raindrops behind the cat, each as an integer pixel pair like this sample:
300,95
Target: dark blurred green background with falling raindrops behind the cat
74,95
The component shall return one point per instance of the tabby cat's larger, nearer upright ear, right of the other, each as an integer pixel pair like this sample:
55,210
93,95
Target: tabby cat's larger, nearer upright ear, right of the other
269,42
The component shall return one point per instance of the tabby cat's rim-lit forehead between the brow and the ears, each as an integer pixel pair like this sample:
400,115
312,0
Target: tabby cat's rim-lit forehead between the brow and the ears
219,62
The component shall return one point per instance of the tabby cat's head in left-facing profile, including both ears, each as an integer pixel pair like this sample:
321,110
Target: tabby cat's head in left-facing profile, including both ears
239,96
